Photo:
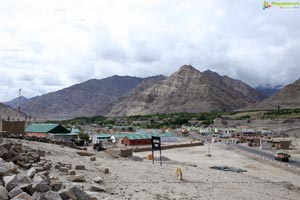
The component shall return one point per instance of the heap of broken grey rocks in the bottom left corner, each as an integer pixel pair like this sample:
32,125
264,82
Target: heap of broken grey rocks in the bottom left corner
17,182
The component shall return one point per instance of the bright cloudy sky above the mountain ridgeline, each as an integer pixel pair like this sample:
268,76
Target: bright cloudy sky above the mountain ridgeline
51,44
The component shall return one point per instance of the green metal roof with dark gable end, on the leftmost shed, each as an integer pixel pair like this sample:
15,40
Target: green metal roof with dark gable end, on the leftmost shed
46,128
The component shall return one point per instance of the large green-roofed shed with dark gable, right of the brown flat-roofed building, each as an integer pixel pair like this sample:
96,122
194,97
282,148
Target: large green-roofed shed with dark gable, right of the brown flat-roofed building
43,130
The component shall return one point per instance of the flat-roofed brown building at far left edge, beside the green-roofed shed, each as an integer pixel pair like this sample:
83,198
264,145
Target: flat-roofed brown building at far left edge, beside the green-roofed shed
16,127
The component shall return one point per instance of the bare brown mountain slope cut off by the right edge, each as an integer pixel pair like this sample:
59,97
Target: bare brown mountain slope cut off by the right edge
287,97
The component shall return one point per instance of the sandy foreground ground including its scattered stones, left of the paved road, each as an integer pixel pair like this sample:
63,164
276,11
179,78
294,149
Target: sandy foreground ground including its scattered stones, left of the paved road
100,176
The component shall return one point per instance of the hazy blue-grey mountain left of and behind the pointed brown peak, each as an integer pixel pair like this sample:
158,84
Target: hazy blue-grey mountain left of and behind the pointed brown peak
90,98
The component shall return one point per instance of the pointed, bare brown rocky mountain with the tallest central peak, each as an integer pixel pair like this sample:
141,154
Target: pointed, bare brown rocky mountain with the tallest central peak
188,90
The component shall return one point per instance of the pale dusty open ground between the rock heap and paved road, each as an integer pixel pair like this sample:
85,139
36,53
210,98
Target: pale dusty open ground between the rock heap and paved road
129,179
